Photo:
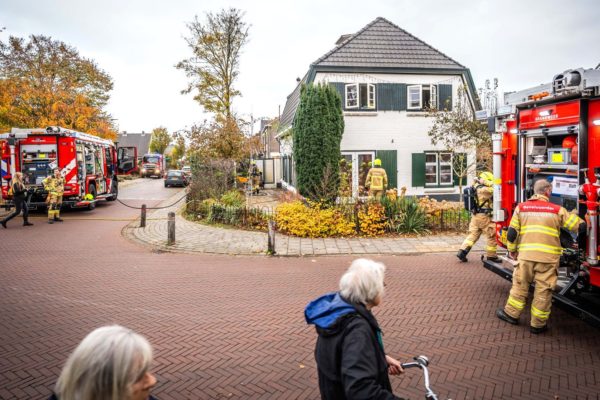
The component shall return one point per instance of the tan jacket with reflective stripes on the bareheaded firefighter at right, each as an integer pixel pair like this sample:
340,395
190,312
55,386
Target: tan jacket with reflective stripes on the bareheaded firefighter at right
538,223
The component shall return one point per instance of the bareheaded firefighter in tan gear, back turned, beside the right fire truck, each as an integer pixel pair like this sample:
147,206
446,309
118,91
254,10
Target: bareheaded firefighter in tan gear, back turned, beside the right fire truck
533,238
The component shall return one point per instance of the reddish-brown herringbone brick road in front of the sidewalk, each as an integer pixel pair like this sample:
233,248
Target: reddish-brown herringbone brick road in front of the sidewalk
232,327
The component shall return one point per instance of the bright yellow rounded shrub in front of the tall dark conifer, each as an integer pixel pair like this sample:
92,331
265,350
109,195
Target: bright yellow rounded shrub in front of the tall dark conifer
298,219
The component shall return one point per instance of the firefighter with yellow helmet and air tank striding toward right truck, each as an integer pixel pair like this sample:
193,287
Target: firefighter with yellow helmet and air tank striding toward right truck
481,222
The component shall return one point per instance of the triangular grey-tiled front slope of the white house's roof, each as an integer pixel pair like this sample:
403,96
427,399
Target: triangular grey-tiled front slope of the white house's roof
384,44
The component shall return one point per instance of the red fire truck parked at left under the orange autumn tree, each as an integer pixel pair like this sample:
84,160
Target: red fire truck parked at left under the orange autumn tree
89,164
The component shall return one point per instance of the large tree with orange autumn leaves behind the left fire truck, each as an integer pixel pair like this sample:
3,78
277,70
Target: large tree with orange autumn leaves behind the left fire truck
45,82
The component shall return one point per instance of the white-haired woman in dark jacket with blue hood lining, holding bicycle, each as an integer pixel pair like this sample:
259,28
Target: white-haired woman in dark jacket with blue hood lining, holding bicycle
351,360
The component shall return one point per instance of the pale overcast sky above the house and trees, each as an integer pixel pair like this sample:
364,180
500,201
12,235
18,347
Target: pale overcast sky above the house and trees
138,42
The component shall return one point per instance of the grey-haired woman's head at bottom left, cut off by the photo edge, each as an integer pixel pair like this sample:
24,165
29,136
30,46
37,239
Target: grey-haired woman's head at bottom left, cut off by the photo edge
111,363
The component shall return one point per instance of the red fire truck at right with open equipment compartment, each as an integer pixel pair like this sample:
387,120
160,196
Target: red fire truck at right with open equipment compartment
553,131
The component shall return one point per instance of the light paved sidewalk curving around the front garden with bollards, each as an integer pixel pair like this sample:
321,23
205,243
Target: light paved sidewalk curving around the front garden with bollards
194,237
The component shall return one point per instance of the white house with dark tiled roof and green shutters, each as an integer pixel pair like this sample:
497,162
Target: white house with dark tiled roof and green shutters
387,78
